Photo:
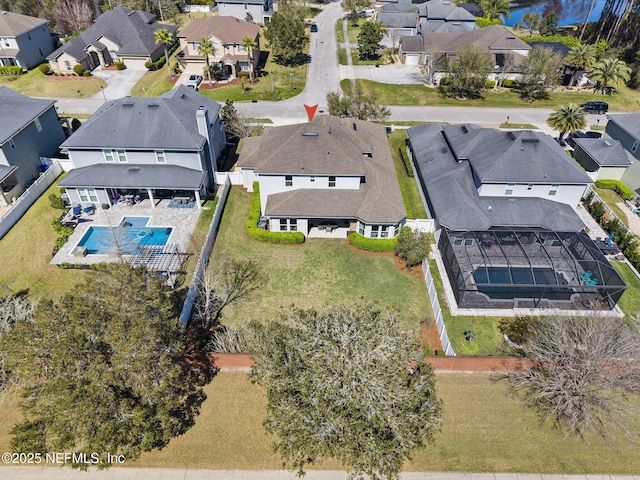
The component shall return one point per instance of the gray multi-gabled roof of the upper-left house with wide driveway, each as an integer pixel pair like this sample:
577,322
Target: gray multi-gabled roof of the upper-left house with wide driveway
132,30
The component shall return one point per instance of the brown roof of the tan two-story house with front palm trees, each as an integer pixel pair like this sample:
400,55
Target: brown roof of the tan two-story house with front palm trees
227,29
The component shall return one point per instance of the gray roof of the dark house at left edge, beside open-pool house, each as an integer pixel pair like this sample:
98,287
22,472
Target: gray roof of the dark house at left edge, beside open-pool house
22,110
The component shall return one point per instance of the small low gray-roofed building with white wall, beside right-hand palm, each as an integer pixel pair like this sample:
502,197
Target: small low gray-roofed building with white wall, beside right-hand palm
601,158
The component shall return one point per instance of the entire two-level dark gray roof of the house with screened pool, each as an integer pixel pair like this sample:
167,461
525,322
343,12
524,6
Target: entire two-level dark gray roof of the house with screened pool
448,158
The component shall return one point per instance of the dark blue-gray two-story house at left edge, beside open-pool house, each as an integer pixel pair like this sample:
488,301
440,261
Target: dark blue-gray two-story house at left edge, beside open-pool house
33,132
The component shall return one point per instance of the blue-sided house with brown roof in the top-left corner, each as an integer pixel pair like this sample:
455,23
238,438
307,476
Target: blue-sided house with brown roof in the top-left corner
24,41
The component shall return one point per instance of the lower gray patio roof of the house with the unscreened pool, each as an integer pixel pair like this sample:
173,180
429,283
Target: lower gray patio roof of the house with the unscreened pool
134,176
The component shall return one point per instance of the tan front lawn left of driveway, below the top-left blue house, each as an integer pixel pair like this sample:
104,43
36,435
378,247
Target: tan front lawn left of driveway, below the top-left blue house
35,84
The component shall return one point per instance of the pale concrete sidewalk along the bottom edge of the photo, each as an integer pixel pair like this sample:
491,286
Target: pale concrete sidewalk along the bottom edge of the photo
54,473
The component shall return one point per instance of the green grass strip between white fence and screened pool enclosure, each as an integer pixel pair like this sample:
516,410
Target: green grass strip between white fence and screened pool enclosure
488,340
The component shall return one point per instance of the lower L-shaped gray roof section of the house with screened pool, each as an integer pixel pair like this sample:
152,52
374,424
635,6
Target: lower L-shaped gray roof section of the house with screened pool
454,198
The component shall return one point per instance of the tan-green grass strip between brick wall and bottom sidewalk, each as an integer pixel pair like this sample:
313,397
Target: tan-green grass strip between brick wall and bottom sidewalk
484,430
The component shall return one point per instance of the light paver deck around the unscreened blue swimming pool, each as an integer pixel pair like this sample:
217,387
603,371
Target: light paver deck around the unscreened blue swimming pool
181,220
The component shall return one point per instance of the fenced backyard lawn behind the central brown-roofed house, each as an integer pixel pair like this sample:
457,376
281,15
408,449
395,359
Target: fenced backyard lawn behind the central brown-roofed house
317,274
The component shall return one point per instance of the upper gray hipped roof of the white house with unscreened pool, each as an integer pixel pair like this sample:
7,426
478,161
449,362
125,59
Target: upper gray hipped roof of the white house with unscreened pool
164,123
